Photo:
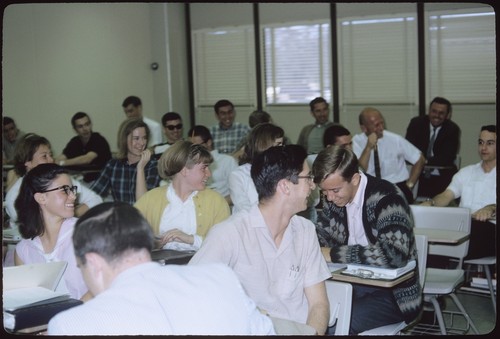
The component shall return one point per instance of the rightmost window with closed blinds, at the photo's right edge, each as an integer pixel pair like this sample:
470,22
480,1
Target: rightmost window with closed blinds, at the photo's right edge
461,55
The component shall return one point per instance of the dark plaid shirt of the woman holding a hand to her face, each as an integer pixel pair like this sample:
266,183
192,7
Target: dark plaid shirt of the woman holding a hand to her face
120,177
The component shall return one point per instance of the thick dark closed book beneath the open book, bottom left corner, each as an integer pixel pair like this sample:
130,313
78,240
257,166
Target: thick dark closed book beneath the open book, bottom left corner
27,317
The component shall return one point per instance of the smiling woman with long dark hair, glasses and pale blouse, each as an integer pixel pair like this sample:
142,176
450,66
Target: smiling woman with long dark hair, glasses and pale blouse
46,209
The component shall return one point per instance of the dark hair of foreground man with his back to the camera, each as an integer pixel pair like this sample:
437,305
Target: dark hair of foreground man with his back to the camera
110,229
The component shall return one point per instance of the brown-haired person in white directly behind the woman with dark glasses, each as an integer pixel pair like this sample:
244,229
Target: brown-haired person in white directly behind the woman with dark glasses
32,151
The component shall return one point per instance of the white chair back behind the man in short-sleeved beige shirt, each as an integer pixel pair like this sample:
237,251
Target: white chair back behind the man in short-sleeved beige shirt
340,298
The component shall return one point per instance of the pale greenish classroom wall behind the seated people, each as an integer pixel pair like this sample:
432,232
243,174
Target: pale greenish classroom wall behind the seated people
62,58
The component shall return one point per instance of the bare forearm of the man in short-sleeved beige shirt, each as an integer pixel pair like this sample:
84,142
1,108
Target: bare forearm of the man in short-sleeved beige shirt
319,307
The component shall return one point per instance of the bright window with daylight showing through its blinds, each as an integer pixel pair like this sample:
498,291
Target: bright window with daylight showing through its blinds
297,63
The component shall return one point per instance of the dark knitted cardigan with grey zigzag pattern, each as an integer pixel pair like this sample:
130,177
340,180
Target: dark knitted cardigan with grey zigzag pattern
389,229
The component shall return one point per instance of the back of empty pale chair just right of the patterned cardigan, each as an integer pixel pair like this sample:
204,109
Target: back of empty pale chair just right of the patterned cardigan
444,218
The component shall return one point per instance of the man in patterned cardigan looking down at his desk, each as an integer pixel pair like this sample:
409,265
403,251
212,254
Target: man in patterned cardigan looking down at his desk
366,220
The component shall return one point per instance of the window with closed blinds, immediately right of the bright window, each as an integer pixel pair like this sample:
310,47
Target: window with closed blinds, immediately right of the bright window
378,59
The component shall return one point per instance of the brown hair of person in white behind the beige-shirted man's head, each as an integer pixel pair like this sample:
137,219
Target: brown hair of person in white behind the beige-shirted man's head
260,138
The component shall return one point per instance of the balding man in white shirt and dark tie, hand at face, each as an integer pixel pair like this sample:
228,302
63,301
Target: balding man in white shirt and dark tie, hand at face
393,152
